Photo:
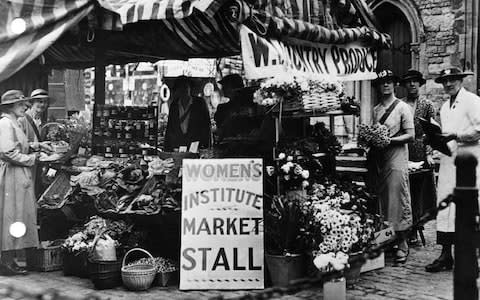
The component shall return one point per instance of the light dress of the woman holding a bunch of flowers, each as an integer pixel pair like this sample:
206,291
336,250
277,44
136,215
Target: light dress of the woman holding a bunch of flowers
392,183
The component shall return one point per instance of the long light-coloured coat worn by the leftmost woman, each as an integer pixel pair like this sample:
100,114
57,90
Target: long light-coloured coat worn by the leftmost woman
17,200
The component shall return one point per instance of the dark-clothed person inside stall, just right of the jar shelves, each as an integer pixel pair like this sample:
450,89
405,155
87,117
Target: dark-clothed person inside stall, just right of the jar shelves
188,119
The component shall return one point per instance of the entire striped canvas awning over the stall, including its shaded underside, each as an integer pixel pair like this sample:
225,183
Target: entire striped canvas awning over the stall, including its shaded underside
150,30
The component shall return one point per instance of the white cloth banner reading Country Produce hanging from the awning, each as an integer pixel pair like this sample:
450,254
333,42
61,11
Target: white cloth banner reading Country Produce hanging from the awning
265,58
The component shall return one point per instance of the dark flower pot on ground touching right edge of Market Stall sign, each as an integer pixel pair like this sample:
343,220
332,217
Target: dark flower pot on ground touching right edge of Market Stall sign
284,268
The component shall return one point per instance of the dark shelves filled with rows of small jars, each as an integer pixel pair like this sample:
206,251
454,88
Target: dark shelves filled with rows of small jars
119,131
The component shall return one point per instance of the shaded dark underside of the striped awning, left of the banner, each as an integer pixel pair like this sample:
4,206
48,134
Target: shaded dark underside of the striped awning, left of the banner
197,36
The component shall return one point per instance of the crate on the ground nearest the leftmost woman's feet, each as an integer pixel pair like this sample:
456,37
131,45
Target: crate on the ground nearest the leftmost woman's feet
46,259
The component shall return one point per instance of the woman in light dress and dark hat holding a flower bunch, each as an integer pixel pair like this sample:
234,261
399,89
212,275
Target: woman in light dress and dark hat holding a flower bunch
392,182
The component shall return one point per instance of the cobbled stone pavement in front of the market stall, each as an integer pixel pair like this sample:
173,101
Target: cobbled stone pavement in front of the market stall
392,282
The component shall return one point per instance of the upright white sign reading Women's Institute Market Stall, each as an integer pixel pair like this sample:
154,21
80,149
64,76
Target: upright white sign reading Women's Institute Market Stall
222,224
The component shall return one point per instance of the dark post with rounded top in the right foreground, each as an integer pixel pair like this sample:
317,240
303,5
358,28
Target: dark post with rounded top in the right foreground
466,194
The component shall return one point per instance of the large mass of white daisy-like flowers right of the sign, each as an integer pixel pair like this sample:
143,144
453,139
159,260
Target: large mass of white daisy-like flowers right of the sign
339,229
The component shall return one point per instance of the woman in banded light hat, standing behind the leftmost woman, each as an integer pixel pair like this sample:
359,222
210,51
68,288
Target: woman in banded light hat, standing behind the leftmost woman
31,124
